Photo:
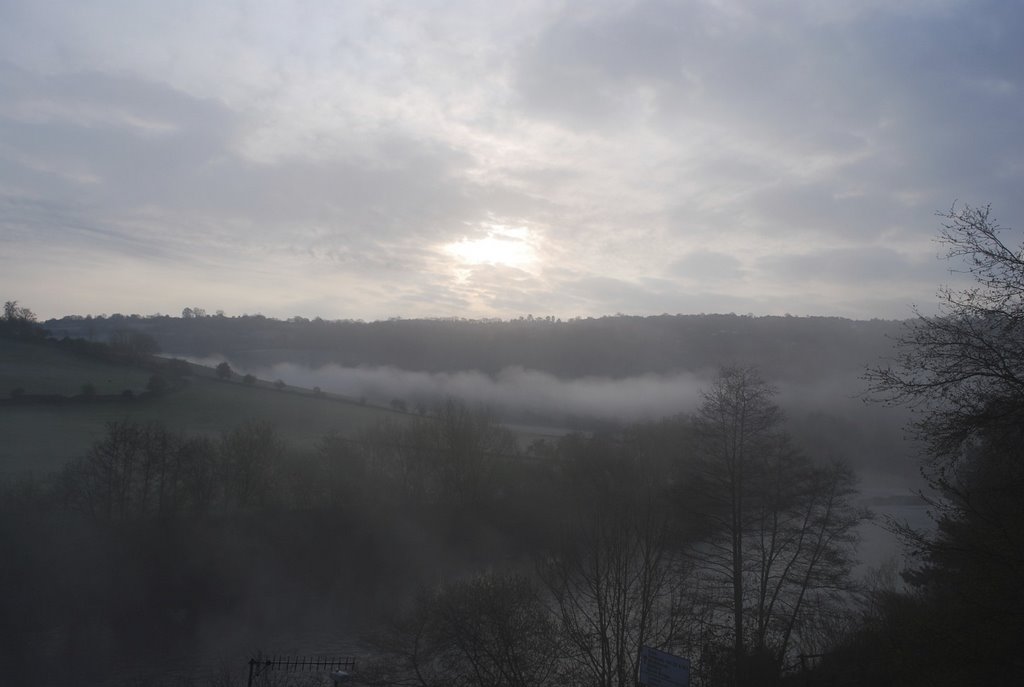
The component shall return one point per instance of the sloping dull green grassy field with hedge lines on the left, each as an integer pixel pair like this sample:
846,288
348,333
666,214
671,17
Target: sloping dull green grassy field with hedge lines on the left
40,439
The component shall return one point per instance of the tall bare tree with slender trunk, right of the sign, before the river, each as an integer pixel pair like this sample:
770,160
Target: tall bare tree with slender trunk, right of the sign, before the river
780,530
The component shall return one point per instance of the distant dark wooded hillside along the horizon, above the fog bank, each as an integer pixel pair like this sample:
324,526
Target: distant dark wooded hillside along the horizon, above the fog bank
785,349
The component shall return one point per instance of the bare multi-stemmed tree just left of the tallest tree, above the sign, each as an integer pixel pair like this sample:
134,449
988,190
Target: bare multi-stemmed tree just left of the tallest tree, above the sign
616,580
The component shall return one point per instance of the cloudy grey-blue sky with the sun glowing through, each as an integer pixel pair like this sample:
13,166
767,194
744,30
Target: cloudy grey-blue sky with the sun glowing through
374,160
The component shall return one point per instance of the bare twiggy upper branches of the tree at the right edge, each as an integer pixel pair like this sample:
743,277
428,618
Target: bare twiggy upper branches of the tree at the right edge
963,369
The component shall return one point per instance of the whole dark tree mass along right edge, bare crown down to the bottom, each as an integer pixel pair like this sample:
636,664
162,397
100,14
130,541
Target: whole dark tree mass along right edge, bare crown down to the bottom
963,371
